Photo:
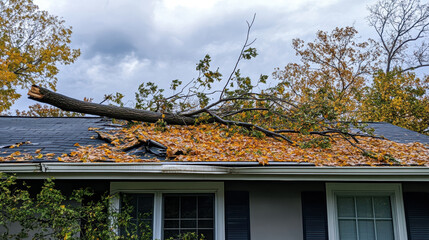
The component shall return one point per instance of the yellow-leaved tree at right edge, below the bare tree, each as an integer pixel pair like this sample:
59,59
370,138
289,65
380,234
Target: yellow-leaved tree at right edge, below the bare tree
399,98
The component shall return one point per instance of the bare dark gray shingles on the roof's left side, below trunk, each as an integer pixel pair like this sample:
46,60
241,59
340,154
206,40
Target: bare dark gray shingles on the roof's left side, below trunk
52,135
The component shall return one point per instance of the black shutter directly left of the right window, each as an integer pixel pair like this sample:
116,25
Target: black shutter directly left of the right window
314,217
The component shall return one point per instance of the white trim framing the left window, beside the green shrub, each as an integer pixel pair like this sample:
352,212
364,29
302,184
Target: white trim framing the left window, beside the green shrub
158,188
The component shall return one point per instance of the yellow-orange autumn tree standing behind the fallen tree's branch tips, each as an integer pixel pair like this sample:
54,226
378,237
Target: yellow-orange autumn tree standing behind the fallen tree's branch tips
328,80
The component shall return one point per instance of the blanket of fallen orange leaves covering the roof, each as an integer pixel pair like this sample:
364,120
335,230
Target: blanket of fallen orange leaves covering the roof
212,142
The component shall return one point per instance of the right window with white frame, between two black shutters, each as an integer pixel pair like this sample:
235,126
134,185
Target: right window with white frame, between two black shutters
365,212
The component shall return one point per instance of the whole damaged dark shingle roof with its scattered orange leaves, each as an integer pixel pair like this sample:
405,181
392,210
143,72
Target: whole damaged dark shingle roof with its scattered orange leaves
34,139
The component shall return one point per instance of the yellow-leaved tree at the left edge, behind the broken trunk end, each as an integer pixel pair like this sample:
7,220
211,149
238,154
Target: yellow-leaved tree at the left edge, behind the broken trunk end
32,43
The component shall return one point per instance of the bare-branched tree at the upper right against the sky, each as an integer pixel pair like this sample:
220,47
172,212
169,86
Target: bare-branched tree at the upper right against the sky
403,27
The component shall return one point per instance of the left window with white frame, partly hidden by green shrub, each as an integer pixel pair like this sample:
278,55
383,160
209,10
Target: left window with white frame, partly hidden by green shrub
170,209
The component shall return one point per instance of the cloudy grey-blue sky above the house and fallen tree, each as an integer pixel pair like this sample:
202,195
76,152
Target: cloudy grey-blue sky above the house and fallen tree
127,42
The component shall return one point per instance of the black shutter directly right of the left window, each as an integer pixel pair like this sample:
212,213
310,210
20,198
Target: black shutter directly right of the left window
237,219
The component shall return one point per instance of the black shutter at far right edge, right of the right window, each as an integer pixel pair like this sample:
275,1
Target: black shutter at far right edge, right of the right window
416,206
